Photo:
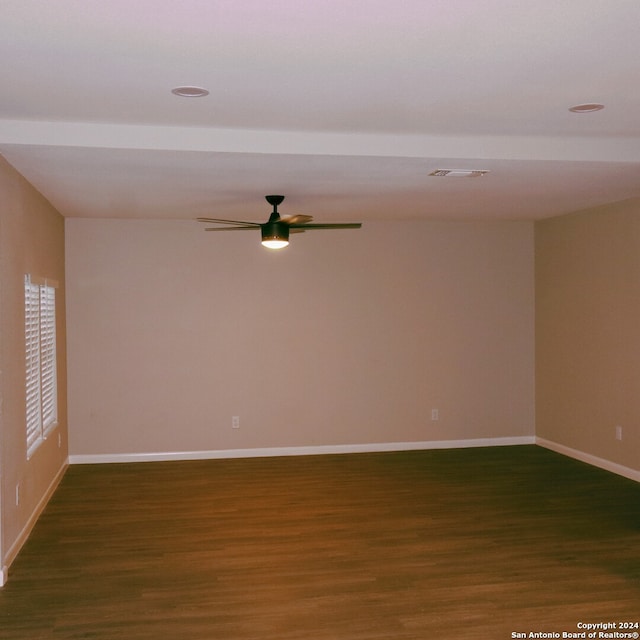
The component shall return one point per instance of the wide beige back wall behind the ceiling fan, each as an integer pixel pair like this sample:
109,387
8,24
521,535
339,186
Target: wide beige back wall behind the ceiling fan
344,337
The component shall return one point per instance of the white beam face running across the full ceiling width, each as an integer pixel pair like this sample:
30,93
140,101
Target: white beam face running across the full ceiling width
165,138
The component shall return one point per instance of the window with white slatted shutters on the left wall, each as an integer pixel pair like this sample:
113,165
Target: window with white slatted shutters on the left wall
40,353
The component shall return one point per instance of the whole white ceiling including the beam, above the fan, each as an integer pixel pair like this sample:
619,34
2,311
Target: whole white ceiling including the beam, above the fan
344,106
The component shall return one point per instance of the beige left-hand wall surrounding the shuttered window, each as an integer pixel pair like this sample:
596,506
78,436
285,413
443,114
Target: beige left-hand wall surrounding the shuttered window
31,241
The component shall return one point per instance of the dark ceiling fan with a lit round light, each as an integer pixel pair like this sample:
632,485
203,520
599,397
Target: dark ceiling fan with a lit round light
275,232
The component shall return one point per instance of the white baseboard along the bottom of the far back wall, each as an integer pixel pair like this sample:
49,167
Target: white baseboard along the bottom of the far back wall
297,451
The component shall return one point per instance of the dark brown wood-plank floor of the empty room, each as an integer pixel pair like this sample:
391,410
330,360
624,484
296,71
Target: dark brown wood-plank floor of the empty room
443,544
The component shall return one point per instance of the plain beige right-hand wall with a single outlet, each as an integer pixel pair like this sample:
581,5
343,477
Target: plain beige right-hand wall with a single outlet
587,332
